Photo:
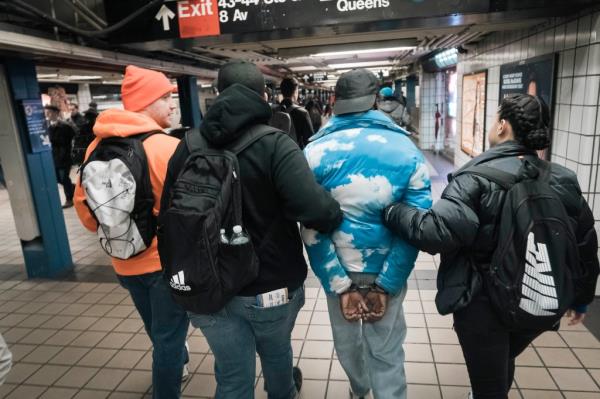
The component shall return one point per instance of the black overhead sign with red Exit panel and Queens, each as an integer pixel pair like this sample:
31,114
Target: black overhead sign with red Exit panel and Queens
199,18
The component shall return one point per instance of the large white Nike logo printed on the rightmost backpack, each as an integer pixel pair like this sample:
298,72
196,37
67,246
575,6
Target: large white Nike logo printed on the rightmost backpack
538,287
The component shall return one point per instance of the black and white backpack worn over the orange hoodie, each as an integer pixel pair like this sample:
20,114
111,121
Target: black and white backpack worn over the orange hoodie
116,182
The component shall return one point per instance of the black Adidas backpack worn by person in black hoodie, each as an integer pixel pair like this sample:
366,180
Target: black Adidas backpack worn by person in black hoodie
203,272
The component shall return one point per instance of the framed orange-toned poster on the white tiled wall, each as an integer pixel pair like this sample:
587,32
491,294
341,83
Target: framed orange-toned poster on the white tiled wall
474,91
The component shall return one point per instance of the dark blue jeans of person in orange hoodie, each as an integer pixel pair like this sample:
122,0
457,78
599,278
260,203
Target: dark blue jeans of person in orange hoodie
166,324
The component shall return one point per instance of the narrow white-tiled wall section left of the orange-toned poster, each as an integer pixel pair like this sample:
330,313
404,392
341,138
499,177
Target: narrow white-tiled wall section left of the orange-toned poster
432,91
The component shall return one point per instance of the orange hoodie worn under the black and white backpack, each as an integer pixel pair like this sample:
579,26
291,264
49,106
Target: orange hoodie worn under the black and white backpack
159,149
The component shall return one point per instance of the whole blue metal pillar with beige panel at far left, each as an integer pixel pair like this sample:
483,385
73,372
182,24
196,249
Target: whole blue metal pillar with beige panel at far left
30,175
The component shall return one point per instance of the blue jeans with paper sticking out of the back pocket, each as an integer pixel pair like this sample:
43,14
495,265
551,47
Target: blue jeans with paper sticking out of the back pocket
240,330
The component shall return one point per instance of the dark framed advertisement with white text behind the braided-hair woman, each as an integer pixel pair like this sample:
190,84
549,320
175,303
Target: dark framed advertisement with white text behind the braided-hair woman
534,76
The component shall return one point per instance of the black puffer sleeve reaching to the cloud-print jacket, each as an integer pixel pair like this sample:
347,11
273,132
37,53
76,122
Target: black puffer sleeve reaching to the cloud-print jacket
451,224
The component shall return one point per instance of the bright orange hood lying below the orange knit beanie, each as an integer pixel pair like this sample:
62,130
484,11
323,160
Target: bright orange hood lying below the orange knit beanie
120,123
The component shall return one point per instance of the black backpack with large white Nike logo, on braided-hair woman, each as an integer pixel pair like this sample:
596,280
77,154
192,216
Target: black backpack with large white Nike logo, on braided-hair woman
531,277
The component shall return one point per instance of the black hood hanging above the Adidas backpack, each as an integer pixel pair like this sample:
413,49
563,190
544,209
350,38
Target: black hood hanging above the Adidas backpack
235,109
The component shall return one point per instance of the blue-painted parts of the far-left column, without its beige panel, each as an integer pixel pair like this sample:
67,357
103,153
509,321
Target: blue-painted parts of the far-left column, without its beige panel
48,255
